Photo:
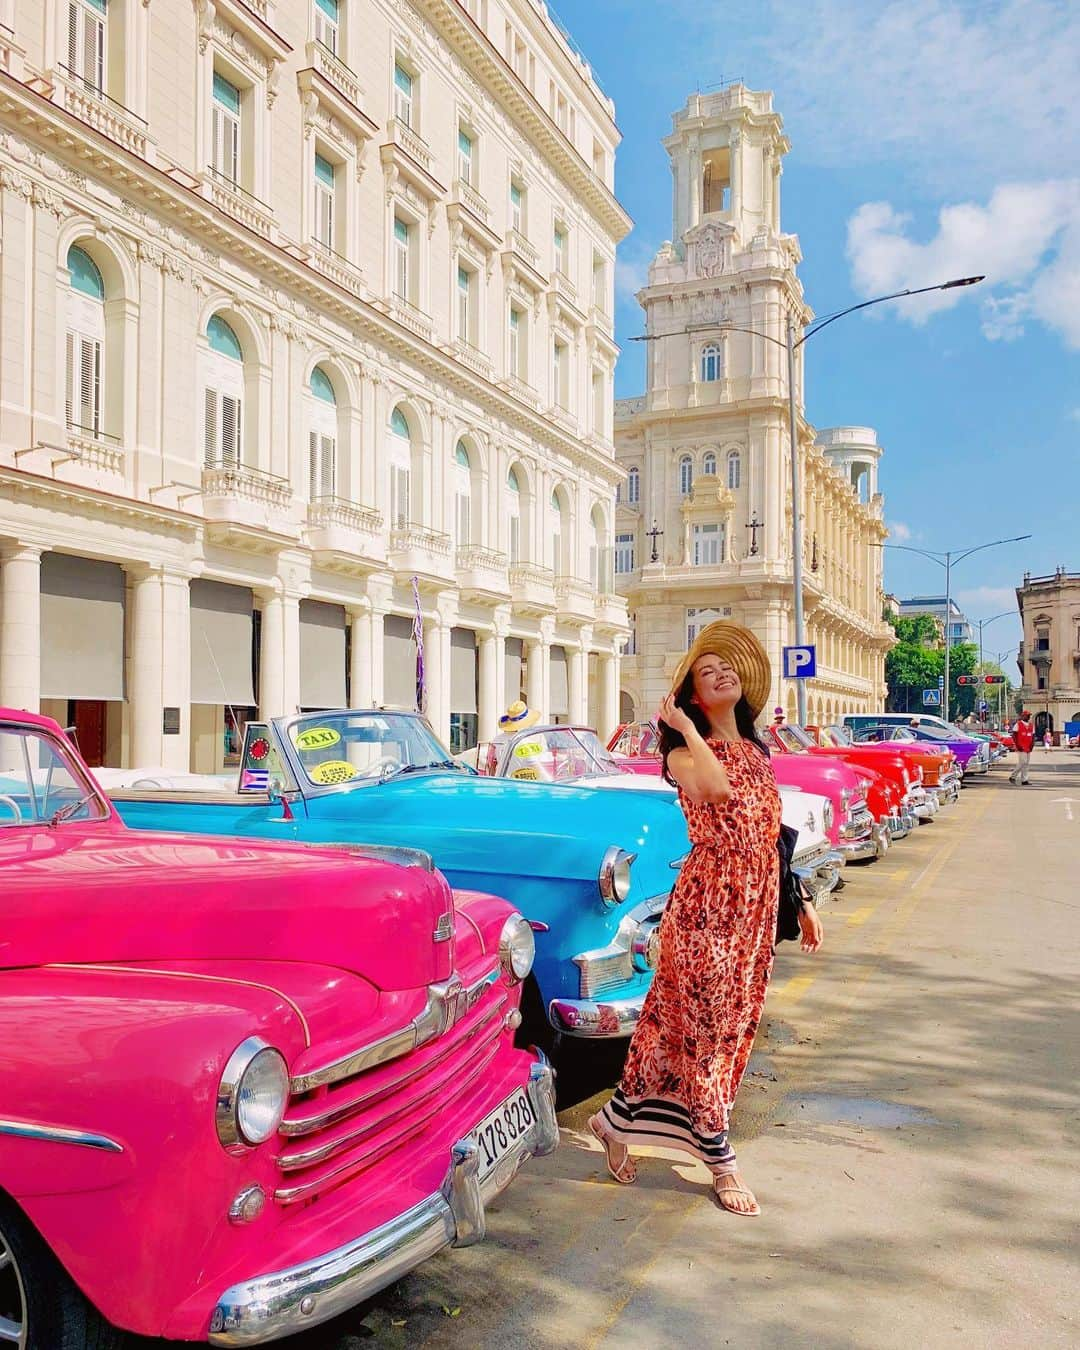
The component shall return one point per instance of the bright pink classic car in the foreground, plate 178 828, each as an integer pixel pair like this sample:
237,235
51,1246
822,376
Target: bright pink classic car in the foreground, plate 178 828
242,1085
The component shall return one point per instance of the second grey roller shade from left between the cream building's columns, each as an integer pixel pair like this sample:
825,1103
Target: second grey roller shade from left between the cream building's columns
222,637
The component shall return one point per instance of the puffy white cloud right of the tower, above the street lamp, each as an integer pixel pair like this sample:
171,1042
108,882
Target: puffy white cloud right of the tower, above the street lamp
1025,240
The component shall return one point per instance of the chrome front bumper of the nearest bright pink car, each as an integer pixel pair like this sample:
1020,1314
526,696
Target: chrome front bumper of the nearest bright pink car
303,1297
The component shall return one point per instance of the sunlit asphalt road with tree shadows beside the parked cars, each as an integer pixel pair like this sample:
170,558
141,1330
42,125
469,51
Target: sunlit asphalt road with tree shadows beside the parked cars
909,1125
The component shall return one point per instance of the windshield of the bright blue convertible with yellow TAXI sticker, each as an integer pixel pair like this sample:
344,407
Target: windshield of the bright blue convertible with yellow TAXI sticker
338,749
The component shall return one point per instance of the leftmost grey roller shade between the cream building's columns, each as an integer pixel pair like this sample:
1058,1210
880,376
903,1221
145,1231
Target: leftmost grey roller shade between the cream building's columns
83,628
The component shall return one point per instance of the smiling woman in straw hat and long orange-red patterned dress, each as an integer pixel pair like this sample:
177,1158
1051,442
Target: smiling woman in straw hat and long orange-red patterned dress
693,1040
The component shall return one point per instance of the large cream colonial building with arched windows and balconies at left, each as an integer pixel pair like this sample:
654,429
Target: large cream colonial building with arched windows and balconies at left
307,326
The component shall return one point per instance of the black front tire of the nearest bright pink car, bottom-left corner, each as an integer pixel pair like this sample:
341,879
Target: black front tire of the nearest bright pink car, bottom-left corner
40,1297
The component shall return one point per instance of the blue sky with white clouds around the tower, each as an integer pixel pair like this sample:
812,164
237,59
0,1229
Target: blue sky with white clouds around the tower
929,140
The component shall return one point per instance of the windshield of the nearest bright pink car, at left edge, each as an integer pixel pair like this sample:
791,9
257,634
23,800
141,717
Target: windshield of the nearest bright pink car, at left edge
41,781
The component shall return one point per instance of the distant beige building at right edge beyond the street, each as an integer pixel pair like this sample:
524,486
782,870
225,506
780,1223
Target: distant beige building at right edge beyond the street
1050,657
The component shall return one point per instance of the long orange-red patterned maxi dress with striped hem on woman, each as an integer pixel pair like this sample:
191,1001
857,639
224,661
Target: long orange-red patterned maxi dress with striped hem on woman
697,1027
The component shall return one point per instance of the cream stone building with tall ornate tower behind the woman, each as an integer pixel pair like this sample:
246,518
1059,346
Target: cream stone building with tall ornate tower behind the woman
704,516
